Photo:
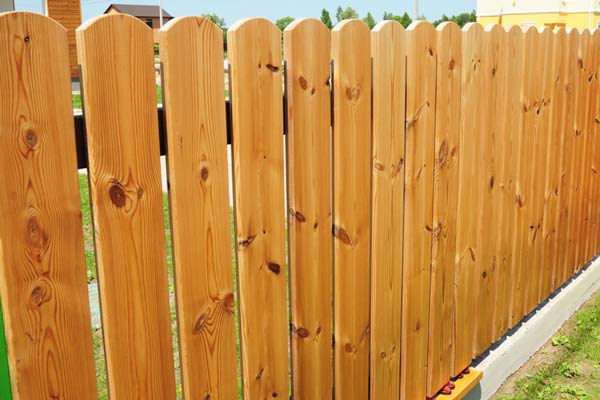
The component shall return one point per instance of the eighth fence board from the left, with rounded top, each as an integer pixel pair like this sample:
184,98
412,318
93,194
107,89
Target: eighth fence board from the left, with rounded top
418,205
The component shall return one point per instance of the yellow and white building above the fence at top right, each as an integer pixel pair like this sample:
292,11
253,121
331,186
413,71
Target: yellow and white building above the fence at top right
550,13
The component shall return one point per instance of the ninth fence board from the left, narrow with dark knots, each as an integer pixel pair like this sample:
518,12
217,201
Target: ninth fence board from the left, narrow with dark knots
447,130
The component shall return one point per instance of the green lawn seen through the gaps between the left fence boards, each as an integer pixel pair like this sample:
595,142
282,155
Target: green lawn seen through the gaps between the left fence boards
91,274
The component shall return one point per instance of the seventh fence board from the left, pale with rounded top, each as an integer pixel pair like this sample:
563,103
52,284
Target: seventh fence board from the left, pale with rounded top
388,49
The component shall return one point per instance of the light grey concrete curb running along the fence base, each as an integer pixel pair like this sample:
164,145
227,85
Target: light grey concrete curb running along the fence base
520,343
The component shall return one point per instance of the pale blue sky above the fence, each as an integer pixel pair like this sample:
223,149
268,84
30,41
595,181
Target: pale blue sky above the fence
232,10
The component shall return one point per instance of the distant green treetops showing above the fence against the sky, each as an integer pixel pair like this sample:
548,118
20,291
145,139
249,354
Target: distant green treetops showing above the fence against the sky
350,13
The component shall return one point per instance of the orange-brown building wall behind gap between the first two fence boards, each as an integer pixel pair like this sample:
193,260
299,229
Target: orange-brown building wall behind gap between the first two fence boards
68,14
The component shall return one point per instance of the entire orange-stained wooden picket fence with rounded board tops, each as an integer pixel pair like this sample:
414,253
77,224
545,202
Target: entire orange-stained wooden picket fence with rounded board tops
440,185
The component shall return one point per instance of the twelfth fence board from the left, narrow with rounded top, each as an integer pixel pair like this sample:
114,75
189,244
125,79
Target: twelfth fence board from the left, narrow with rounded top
511,70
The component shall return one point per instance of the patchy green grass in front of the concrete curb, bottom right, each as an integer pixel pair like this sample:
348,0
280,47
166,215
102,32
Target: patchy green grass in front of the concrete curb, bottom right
574,371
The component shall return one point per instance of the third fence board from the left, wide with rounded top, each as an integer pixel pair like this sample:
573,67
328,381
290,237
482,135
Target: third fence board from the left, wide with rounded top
191,51
